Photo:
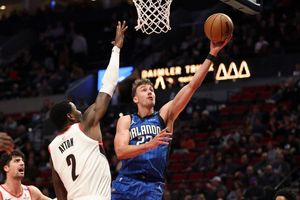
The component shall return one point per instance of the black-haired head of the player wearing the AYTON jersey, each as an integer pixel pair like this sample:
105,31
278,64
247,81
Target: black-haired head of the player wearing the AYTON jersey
63,114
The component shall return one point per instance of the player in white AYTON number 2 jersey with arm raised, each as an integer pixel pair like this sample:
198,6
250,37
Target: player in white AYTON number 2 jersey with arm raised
80,168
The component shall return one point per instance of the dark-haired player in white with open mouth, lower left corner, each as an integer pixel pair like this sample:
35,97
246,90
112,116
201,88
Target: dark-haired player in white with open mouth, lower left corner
13,169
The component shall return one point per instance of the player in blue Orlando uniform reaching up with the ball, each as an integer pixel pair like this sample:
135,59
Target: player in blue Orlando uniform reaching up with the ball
142,139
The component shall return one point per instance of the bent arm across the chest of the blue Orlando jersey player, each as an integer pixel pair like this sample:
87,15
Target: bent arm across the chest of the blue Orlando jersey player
122,147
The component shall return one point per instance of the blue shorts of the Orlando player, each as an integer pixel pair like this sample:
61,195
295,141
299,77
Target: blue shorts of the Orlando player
125,188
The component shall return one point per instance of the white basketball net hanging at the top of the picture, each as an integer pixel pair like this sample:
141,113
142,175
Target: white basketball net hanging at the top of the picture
153,15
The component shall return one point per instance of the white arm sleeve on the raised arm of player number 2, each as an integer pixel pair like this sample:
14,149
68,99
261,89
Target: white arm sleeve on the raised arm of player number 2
111,75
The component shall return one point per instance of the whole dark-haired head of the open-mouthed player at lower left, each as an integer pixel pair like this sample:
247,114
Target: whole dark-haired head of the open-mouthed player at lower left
12,164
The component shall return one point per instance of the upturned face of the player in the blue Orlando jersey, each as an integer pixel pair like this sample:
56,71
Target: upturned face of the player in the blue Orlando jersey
145,95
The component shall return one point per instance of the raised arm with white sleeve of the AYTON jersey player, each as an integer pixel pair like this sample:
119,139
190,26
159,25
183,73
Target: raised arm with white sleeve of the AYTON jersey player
97,110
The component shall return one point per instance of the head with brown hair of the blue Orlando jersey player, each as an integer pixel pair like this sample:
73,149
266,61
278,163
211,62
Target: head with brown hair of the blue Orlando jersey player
143,92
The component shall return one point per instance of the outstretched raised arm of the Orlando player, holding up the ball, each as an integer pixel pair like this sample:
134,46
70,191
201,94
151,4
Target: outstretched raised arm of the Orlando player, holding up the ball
172,109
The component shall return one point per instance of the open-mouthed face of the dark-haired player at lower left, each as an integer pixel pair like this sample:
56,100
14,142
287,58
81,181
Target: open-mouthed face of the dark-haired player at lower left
15,168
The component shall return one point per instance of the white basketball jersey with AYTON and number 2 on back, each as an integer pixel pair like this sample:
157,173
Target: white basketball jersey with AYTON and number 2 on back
83,169
